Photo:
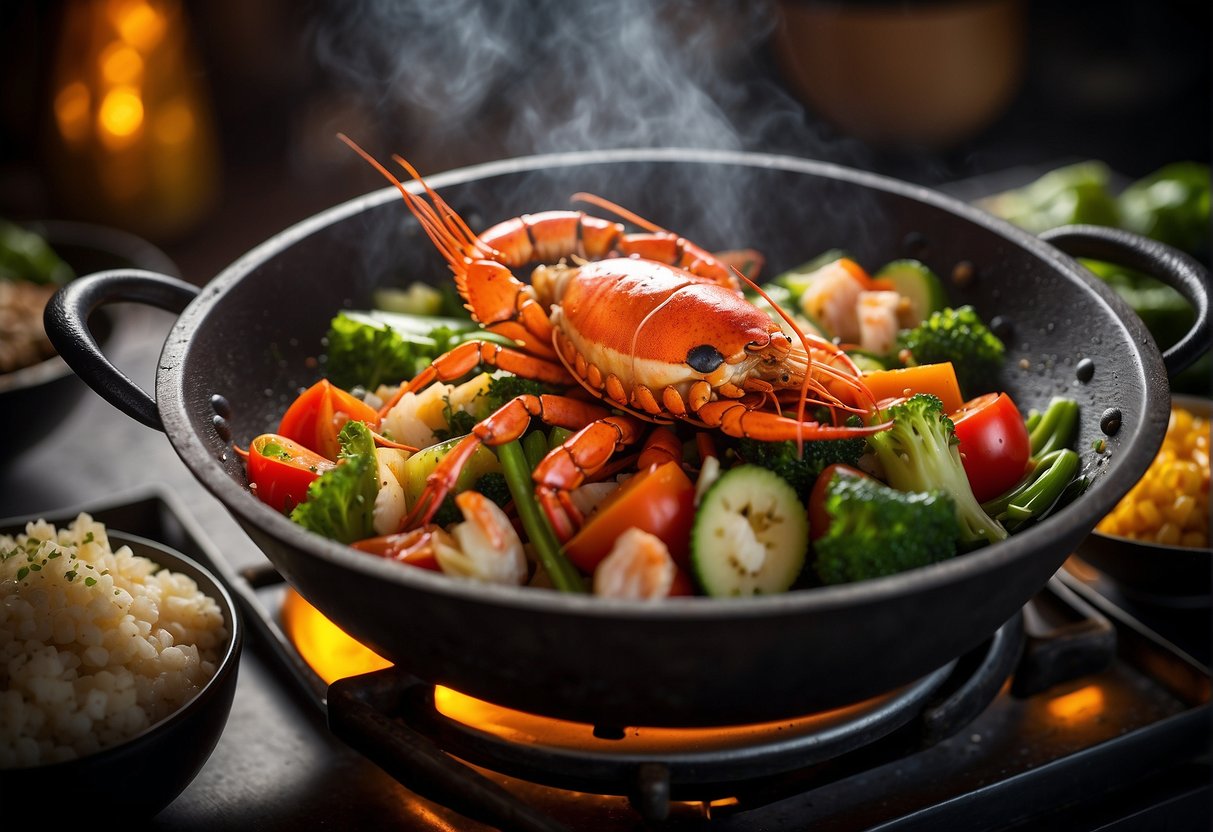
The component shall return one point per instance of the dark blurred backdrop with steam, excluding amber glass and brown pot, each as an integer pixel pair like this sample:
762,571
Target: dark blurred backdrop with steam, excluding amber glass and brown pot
1126,83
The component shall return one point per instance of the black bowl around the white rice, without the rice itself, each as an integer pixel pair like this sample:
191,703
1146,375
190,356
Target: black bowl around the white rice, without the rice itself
145,774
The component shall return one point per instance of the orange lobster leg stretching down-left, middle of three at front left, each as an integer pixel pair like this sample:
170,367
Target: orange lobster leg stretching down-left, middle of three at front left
506,424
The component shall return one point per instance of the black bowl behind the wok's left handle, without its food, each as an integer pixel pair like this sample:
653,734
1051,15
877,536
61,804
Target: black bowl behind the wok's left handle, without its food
37,398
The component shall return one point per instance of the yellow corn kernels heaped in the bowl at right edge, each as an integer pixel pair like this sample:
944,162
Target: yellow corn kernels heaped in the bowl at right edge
1170,504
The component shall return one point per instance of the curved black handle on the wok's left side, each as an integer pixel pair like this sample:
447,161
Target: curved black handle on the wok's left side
67,326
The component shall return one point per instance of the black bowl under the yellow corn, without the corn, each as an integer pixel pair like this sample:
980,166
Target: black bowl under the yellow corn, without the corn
1154,572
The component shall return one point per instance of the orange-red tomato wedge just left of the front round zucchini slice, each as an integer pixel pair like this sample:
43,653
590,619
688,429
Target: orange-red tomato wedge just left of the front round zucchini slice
660,502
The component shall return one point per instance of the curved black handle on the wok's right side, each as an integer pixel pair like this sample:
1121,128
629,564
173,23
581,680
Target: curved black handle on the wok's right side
1171,266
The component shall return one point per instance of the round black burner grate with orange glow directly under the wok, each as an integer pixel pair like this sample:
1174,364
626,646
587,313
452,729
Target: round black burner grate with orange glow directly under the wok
654,766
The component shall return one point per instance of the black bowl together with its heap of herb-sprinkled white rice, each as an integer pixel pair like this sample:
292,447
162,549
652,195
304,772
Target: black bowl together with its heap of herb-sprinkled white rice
118,668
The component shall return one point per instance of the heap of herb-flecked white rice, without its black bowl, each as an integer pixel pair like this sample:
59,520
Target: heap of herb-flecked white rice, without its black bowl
95,646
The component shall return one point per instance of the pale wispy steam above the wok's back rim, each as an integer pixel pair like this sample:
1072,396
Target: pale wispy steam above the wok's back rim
503,79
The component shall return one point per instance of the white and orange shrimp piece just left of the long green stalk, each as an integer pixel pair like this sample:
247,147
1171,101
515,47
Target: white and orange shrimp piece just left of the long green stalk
486,546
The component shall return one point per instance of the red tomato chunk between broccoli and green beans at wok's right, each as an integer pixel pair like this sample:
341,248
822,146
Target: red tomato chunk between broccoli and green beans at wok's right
994,445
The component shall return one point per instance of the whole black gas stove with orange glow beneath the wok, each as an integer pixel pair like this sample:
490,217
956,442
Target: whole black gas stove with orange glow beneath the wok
1072,698
